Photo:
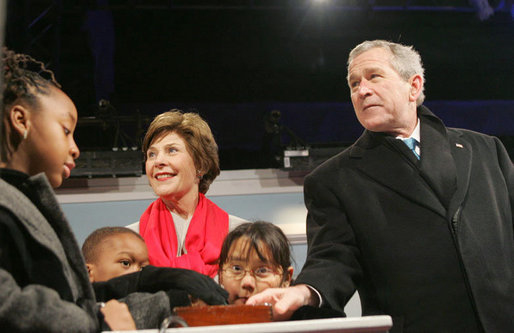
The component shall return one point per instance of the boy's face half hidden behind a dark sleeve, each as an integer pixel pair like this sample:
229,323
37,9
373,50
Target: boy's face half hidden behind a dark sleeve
118,255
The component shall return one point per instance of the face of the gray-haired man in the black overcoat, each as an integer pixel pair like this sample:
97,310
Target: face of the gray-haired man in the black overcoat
382,100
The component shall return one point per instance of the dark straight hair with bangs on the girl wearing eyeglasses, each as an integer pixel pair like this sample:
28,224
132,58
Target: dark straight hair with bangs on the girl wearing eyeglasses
260,233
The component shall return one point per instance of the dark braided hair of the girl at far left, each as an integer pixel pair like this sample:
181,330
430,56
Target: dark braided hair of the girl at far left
23,78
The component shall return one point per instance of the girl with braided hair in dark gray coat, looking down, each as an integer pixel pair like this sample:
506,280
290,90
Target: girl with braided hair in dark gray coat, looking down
45,286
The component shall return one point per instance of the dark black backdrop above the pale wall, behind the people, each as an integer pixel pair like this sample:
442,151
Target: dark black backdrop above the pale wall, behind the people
235,62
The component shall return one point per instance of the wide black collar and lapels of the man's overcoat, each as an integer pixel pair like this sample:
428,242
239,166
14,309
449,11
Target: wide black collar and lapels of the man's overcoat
431,182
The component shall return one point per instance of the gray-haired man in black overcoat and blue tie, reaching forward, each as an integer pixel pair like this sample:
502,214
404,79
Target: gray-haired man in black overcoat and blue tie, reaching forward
423,230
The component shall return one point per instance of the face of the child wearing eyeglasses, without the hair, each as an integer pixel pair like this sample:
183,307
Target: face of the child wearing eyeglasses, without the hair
244,274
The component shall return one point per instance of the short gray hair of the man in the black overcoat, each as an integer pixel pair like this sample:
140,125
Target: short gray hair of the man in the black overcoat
404,59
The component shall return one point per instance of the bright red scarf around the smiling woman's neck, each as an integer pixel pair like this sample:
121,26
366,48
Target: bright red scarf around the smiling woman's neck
204,237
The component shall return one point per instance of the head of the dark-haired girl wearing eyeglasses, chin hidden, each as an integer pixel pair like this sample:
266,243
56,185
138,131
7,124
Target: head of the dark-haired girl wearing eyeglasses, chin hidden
254,256
